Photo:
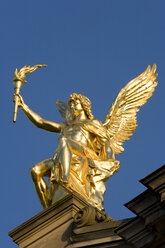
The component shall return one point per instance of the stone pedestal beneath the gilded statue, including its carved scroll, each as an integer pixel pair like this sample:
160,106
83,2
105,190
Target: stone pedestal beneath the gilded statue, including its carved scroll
71,223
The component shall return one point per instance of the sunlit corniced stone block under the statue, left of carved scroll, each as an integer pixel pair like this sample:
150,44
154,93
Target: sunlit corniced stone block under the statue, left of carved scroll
50,228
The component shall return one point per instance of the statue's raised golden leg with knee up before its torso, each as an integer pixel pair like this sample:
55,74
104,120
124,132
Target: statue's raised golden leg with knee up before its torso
67,147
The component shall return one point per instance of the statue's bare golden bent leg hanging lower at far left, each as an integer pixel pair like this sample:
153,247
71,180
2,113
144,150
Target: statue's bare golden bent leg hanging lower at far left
37,172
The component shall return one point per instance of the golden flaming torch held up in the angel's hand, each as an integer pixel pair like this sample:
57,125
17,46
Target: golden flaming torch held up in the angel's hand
19,80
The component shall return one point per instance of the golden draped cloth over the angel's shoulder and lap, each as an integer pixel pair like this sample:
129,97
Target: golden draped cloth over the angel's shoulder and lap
89,171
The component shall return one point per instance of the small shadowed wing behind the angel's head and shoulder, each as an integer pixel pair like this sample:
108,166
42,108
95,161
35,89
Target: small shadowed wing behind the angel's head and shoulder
64,110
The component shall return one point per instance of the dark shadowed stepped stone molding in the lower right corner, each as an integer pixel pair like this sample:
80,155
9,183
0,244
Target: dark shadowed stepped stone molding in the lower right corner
148,228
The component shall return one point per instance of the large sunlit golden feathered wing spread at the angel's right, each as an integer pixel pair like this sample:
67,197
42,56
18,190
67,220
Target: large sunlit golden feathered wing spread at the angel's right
121,119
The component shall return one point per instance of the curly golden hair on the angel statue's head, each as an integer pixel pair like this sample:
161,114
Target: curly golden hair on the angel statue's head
85,102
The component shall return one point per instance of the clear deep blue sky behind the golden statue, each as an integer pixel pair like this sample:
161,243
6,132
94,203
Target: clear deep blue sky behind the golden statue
91,47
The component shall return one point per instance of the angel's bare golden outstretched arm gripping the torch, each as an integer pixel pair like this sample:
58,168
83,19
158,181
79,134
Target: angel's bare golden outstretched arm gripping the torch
38,121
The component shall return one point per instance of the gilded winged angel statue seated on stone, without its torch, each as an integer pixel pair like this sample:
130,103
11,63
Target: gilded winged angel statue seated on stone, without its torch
85,155
